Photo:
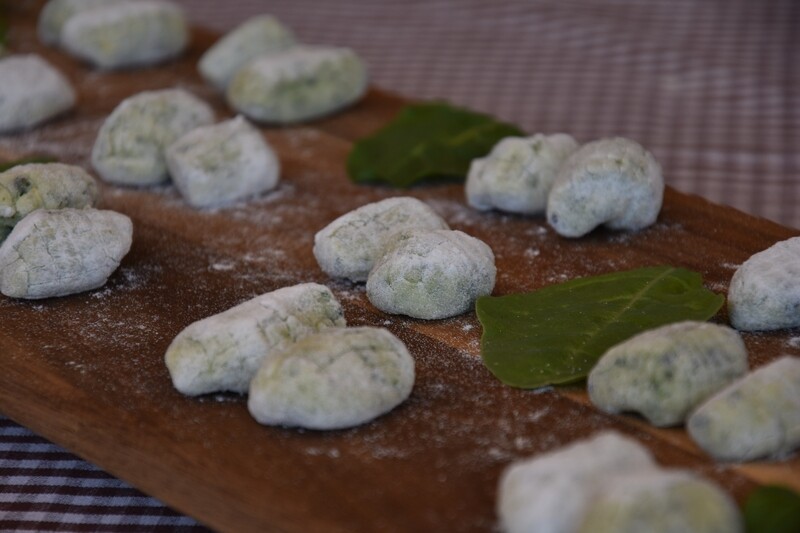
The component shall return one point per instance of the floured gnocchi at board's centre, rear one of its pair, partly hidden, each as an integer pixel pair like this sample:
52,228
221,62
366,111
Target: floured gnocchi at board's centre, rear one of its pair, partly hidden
349,246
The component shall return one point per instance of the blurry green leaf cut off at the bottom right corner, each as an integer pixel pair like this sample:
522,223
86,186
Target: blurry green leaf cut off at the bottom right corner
772,509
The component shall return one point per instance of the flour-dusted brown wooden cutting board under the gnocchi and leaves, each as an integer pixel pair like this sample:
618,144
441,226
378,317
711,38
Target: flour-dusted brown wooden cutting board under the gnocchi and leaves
87,371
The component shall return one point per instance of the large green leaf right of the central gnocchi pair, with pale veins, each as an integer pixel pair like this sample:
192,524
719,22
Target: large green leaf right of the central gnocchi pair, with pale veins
556,335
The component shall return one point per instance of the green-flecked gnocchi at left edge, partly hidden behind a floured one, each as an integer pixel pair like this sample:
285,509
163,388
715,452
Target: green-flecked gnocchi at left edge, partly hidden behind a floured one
26,188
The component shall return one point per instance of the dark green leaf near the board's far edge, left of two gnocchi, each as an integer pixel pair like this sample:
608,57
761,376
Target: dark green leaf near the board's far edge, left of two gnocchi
425,142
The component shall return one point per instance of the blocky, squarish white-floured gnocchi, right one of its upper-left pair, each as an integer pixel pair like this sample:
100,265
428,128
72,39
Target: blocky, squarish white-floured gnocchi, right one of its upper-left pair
219,164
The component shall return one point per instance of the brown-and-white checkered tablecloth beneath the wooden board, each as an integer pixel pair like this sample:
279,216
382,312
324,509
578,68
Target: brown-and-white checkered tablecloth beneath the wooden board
709,86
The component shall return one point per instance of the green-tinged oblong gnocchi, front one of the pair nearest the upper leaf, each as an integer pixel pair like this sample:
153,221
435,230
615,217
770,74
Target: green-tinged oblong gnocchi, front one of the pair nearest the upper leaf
299,84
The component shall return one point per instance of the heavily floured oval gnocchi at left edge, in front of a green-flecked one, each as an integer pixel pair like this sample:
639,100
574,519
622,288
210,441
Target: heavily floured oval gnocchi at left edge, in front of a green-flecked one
65,251
